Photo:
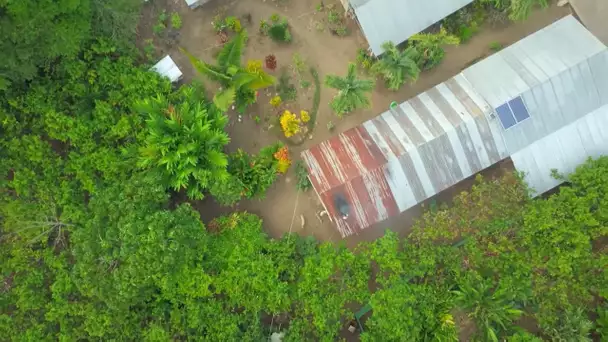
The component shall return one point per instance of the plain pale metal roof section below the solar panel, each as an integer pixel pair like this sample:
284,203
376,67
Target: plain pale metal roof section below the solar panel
564,150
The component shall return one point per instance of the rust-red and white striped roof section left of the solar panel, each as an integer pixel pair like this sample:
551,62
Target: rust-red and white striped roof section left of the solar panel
406,155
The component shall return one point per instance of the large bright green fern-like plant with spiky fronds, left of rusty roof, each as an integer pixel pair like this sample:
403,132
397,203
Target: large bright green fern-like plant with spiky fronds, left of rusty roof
185,143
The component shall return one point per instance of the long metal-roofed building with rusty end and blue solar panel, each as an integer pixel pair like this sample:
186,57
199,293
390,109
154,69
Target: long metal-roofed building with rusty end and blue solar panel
542,101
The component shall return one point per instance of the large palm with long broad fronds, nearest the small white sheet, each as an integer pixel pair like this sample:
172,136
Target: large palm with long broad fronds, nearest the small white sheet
239,83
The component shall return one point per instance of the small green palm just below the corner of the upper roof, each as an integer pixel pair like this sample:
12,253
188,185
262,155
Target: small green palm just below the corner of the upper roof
397,67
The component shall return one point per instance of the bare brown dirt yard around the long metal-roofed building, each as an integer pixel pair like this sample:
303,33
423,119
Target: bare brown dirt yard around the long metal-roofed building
284,207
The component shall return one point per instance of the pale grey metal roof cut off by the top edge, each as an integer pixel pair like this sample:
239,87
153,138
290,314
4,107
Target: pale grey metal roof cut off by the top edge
397,20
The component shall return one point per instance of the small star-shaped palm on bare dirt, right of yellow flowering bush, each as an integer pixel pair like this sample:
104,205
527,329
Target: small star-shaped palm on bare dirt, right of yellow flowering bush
352,92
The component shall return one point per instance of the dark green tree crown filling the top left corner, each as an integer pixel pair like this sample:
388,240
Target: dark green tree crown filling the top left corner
35,33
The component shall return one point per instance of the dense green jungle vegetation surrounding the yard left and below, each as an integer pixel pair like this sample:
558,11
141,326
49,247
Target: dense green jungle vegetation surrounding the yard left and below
93,145
